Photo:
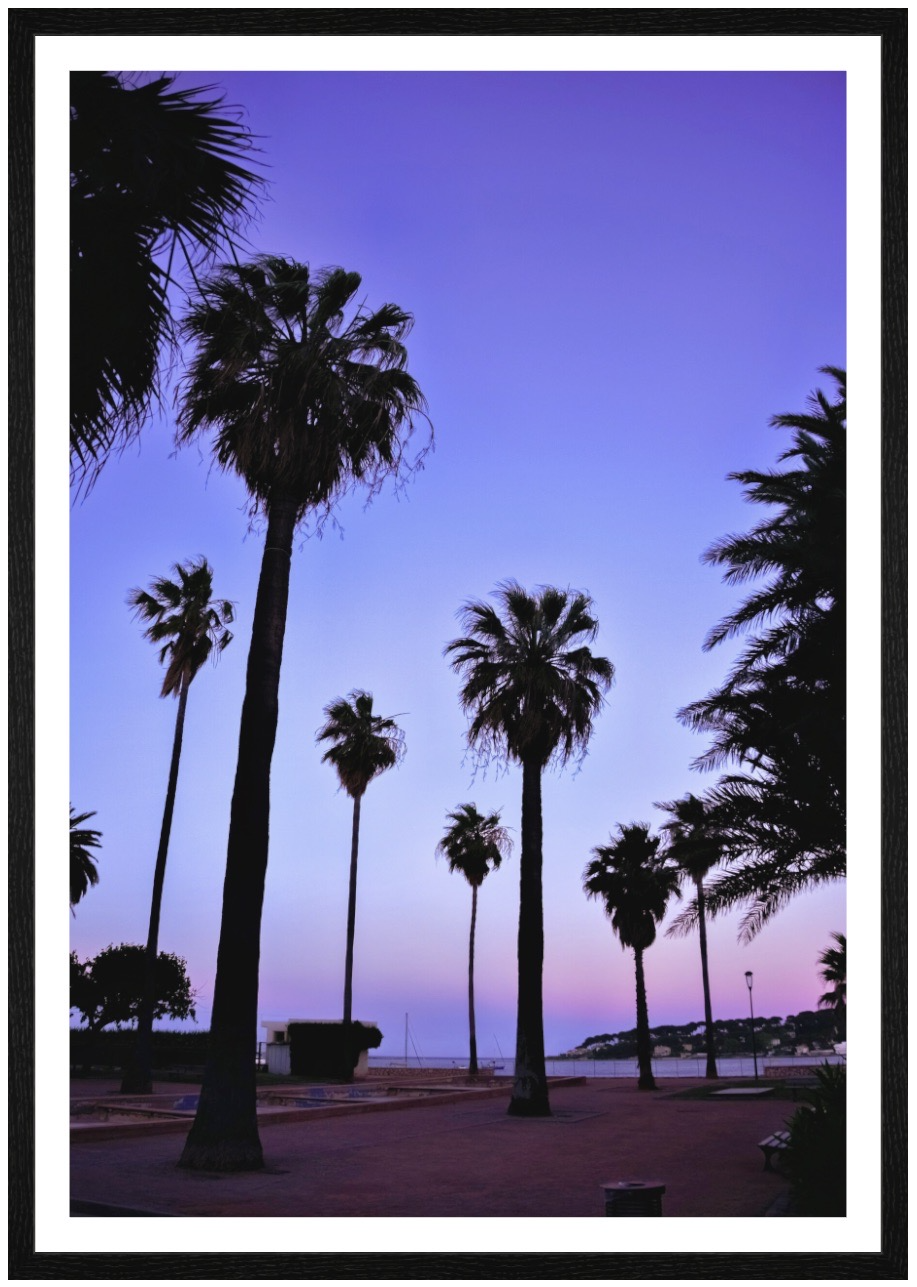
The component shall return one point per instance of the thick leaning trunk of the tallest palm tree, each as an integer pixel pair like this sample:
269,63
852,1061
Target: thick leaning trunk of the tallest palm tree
226,1136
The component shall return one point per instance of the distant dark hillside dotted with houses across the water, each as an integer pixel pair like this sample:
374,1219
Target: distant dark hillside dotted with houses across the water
807,1033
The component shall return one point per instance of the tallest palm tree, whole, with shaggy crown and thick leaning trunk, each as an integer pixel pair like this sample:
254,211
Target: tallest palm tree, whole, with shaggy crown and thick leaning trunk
307,397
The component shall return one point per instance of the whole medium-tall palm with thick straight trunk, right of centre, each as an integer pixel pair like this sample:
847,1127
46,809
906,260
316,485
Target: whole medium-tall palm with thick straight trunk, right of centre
533,690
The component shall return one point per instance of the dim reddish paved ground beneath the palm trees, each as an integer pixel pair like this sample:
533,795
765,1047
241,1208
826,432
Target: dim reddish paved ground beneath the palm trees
464,1159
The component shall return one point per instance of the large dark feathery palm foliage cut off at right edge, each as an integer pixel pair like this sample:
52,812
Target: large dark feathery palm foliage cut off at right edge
780,718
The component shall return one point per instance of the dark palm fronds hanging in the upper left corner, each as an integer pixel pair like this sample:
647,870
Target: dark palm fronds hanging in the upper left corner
156,186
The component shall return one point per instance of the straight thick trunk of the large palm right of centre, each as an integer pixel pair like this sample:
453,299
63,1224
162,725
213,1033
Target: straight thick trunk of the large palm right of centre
531,1087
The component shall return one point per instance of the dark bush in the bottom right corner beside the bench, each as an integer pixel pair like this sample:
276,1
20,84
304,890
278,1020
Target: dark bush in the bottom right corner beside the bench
816,1154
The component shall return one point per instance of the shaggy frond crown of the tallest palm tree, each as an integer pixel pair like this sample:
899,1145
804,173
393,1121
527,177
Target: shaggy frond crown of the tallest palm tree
305,396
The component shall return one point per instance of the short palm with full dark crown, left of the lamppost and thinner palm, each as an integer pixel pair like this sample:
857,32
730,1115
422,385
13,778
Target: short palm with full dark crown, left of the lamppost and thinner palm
635,882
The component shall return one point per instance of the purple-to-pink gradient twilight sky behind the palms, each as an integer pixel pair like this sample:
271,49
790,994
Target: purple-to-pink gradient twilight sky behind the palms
617,280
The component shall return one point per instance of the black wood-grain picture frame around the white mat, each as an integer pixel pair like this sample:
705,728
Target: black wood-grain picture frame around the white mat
24,26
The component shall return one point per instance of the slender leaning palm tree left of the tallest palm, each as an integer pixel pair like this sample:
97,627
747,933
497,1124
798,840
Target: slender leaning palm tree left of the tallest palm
191,626
